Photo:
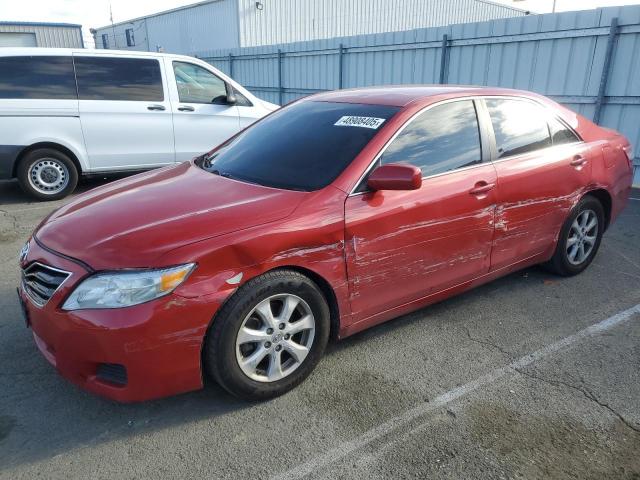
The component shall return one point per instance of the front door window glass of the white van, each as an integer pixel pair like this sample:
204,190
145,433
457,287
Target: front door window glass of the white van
198,85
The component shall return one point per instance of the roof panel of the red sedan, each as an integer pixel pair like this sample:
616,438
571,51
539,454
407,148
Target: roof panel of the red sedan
403,95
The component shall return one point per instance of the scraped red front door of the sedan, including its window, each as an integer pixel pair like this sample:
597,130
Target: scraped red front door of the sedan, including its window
405,245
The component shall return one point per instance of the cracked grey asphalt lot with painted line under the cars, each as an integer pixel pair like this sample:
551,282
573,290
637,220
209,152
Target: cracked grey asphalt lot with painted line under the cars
439,393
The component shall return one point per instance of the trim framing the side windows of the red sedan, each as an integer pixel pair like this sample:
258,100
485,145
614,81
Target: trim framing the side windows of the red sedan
547,110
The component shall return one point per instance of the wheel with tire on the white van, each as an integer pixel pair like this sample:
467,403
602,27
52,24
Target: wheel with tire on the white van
47,174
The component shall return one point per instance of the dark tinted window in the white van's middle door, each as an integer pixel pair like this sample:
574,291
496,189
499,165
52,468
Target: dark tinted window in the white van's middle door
113,78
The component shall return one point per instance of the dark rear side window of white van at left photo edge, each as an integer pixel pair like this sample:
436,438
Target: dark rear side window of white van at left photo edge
38,77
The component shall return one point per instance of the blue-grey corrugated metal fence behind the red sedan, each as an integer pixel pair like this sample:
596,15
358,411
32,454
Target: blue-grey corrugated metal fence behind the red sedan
589,61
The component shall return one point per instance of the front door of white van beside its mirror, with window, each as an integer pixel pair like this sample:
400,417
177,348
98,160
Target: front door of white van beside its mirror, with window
202,118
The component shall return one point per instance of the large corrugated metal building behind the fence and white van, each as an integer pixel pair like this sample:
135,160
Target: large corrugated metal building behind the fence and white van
216,24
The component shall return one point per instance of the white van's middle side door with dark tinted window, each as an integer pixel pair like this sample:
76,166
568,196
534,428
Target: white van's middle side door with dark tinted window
124,111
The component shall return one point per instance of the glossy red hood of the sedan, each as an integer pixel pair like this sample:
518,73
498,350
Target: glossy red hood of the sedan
132,222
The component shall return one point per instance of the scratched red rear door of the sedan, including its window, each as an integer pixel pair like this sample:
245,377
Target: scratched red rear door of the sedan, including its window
542,169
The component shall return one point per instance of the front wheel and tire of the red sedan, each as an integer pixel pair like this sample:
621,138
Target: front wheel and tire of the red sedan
269,336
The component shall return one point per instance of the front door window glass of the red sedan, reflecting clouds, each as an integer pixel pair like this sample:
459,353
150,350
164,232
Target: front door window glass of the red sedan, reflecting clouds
443,138
